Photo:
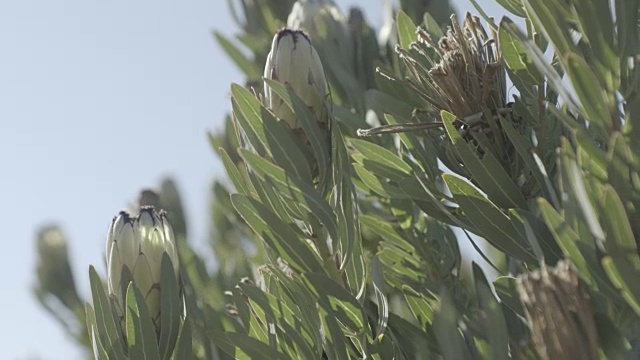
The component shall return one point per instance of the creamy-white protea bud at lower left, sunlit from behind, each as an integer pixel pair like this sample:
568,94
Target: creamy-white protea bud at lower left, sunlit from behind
136,245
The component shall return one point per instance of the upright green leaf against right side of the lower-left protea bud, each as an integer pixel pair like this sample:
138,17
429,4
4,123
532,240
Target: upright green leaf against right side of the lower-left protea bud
170,308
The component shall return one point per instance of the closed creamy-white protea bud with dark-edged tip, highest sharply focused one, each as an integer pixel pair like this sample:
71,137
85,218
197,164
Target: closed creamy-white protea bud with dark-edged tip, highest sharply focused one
294,62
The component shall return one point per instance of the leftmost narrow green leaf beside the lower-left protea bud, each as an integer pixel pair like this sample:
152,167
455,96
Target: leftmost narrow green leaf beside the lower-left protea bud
108,329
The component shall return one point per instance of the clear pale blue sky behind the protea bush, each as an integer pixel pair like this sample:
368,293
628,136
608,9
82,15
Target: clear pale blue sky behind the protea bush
99,99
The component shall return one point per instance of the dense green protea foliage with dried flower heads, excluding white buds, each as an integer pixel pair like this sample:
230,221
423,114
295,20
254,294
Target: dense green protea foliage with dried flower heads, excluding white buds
427,149
